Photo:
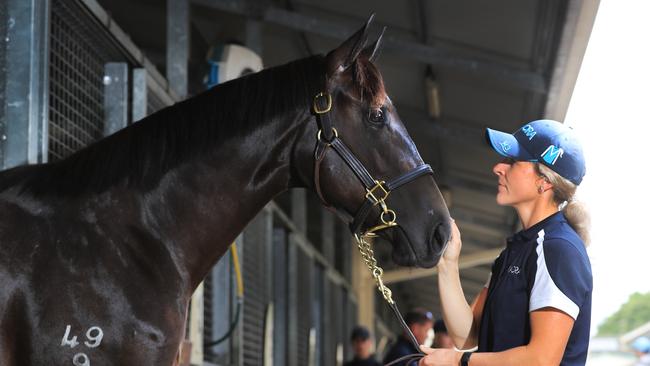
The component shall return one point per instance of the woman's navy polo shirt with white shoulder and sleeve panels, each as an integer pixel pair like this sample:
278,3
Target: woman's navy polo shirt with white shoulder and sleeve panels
545,265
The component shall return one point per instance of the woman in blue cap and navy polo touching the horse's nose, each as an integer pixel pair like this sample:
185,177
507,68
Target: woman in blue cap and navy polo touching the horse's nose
536,307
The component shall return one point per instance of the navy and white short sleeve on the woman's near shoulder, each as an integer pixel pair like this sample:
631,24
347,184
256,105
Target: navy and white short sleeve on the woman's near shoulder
563,277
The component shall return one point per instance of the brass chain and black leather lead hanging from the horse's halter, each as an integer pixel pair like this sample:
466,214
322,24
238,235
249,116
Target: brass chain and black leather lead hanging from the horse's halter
368,256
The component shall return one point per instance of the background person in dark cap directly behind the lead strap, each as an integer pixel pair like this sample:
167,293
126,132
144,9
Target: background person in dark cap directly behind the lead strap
420,321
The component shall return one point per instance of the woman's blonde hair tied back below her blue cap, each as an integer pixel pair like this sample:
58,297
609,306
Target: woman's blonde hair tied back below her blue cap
575,212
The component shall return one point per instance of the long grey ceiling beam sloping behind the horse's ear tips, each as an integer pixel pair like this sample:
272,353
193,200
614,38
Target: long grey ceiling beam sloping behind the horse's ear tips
524,79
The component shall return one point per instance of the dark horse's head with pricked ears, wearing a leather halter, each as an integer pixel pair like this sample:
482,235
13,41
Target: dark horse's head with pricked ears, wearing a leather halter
364,153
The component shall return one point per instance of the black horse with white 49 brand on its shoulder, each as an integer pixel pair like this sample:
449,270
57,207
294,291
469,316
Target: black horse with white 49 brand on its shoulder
100,252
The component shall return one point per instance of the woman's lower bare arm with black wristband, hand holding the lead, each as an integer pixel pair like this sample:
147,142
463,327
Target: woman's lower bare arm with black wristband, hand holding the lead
550,331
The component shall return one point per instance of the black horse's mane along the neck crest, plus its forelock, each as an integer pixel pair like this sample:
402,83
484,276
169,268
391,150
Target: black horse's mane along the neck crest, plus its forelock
141,153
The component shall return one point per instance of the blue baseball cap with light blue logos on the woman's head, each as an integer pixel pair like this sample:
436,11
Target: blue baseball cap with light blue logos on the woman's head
544,141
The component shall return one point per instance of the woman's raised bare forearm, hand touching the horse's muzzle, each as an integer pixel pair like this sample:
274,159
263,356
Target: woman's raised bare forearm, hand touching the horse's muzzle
460,318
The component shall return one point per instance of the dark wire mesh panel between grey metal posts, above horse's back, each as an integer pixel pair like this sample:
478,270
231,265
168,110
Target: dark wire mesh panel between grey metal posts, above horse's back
79,48
